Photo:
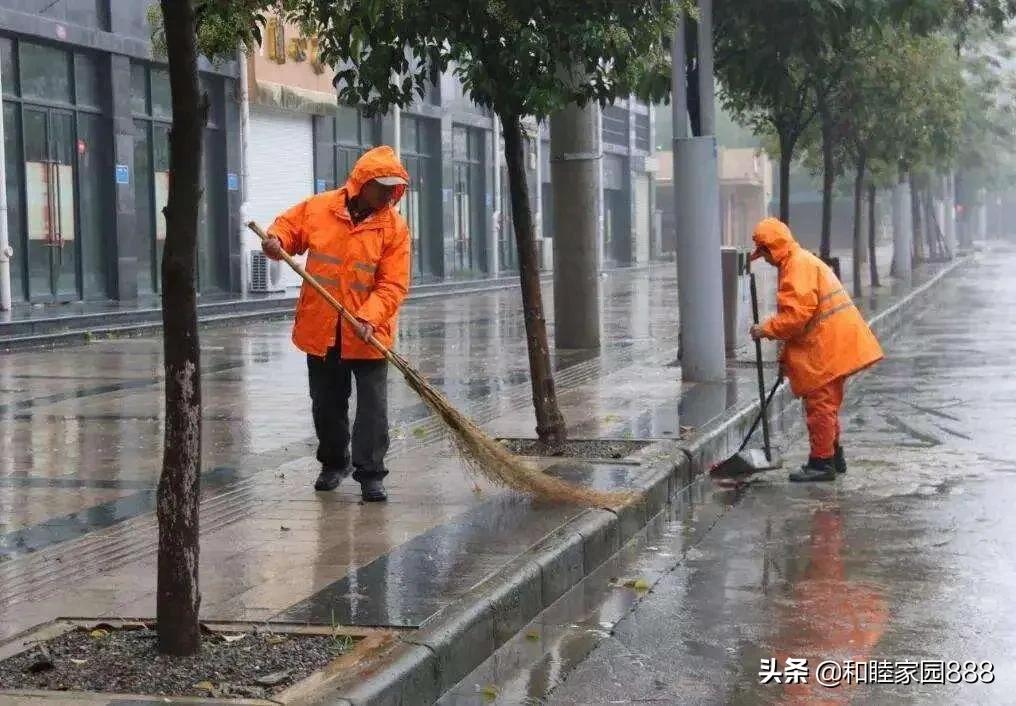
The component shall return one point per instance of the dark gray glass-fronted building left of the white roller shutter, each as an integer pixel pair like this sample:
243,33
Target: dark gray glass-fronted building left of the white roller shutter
86,135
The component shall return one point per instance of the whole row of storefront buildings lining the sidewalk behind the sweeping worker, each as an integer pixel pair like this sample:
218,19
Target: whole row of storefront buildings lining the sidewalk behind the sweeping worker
87,118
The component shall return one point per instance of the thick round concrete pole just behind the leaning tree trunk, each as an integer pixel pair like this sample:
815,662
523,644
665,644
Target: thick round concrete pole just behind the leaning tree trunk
576,173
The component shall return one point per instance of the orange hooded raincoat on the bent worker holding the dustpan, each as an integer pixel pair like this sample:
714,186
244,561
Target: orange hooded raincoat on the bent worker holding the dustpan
825,336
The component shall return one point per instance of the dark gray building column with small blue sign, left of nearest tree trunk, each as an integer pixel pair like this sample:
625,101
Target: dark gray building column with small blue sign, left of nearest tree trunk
126,237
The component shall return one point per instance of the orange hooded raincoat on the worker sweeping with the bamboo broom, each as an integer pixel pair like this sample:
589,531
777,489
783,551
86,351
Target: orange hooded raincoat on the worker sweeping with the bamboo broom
365,267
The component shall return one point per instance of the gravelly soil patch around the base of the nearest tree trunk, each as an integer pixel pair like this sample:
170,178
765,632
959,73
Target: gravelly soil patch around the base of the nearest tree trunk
256,665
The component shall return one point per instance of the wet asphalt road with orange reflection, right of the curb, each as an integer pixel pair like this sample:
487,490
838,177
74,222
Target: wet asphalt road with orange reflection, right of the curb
908,558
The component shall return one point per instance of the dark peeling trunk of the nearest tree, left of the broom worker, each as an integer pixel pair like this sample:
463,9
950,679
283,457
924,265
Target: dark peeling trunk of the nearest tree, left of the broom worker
179,598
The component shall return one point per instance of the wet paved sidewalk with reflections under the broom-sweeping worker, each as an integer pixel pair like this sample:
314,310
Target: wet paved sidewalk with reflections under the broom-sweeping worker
81,444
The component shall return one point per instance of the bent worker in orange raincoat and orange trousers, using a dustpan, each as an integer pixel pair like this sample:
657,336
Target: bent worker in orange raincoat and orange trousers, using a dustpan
825,341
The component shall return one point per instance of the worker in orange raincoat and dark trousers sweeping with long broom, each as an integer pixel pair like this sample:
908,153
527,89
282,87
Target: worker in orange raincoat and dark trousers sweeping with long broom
358,248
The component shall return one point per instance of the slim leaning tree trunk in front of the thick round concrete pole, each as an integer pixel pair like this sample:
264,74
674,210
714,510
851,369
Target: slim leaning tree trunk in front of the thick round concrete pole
550,423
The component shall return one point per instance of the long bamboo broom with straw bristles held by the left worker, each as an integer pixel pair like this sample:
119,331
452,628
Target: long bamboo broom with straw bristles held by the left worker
482,455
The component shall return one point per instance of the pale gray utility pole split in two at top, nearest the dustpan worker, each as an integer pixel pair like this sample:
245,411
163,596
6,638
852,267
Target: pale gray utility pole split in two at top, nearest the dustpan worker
696,208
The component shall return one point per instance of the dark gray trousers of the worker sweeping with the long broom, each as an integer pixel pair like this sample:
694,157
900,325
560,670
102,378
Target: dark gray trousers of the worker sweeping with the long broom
332,384
